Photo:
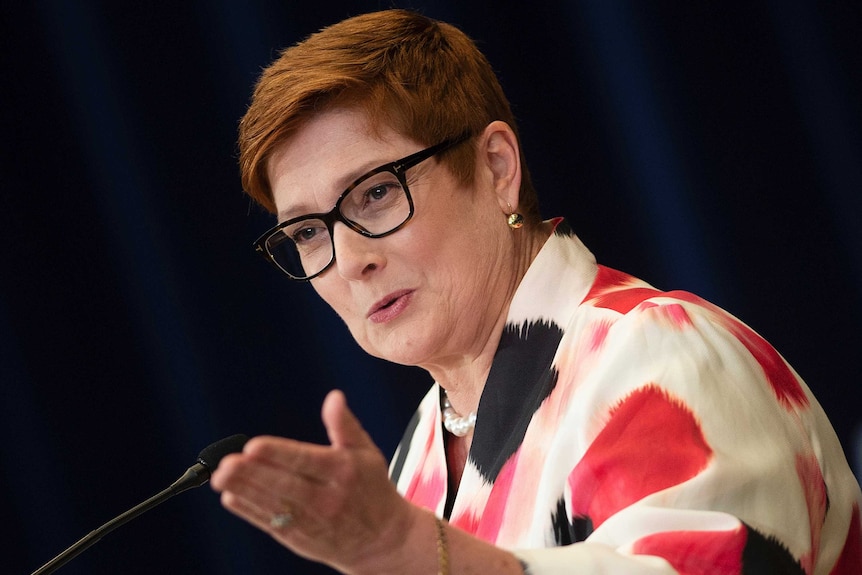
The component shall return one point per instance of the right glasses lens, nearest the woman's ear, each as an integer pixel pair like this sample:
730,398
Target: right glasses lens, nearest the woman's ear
378,204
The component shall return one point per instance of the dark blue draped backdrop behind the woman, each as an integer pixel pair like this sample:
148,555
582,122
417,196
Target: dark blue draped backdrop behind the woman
711,147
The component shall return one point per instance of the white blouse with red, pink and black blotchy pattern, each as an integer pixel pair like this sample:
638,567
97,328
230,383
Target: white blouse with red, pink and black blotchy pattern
627,430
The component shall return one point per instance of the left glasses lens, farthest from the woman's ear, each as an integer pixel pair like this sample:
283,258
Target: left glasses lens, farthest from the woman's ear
301,249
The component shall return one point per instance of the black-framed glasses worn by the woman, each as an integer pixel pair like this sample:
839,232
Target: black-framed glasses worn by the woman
375,205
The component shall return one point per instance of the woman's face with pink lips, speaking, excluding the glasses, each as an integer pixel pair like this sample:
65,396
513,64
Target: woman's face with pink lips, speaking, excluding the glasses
429,294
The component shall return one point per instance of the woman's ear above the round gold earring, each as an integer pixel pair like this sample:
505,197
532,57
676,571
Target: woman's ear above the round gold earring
500,156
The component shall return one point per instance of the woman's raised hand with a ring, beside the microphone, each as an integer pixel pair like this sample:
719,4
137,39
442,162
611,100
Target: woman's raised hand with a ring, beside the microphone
329,503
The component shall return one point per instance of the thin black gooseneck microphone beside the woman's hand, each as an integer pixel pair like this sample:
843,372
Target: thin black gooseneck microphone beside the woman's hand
195,476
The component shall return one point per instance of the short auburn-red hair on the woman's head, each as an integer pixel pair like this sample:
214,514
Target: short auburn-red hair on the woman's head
425,79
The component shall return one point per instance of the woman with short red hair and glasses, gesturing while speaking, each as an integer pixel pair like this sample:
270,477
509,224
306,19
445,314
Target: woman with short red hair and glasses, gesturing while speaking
580,421
